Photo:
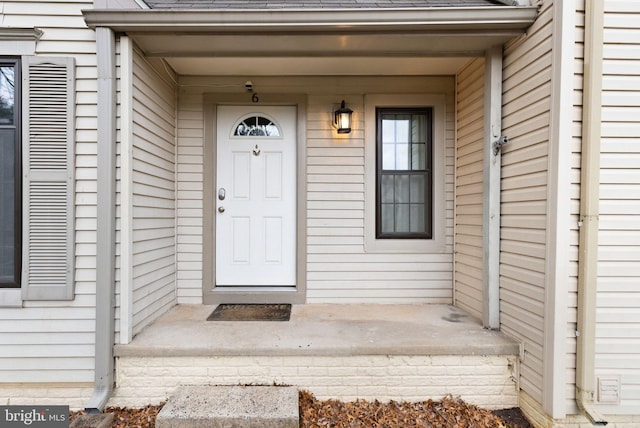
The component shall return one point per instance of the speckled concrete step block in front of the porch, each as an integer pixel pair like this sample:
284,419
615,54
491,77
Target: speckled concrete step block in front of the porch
231,406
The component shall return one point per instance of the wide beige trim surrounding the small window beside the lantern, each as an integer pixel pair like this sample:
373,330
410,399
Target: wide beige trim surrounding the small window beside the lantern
437,243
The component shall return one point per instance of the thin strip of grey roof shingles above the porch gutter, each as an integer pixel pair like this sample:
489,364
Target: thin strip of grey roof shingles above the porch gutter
315,4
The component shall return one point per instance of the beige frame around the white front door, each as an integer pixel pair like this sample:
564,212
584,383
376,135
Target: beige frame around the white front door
213,294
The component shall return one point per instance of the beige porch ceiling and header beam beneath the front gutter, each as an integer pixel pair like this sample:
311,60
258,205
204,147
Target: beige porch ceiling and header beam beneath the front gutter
316,54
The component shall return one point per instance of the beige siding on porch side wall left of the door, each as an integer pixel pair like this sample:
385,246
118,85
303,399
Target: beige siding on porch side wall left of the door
153,193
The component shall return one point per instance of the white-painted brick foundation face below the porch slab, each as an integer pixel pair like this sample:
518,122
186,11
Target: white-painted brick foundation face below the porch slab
487,381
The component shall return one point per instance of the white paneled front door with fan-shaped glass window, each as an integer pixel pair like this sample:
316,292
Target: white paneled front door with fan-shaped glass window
256,196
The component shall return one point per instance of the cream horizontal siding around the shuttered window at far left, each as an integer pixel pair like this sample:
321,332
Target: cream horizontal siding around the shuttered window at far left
54,341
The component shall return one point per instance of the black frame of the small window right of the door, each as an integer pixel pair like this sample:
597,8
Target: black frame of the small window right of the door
427,172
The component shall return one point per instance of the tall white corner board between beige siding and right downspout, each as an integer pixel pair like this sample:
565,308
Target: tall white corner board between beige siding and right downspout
554,370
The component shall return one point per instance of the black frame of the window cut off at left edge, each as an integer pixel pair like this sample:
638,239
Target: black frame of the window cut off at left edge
17,209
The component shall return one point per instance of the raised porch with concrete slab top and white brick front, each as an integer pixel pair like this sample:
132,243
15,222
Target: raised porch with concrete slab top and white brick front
346,352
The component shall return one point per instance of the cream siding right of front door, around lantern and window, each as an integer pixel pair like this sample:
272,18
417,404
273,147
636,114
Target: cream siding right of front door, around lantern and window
339,269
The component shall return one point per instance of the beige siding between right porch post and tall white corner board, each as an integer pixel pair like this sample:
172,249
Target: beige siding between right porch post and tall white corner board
526,117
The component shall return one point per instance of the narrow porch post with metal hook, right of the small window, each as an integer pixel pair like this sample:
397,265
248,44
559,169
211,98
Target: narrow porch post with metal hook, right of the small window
491,189
